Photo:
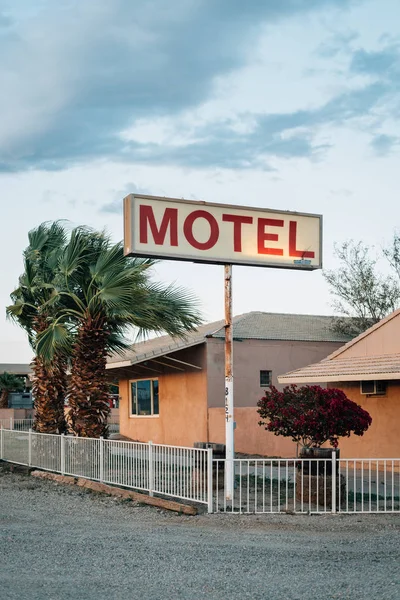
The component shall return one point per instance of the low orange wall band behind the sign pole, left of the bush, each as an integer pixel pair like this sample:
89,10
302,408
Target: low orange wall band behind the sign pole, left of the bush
250,438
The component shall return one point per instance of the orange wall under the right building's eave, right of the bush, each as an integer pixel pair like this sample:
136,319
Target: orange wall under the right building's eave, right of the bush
382,440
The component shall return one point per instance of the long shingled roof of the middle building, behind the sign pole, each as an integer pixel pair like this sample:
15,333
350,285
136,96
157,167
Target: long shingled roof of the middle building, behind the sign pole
253,325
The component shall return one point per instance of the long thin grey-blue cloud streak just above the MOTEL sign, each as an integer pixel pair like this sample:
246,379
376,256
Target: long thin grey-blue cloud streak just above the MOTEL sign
280,135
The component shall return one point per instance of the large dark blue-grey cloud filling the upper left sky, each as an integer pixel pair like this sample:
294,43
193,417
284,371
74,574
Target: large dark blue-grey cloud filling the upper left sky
78,74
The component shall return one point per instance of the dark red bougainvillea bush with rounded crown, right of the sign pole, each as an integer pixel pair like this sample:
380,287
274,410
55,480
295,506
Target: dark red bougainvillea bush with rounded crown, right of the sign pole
312,415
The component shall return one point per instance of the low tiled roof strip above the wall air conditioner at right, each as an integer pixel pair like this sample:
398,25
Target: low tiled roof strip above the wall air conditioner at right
347,369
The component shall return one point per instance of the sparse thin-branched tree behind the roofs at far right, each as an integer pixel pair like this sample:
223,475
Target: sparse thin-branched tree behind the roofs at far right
362,294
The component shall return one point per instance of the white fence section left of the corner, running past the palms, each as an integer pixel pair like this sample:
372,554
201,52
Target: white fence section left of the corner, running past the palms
157,469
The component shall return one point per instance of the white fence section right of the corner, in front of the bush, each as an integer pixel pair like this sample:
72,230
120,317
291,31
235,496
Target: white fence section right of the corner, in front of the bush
309,486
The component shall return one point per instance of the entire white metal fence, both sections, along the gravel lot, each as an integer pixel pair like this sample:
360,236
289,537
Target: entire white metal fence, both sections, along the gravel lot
259,486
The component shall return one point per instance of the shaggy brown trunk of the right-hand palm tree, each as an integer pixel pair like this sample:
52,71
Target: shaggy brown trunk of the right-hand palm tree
88,390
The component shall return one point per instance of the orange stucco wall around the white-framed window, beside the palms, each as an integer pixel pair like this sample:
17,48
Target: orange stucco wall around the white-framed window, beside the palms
183,411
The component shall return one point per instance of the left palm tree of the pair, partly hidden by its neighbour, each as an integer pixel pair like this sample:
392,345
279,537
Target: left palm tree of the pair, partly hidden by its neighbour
34,307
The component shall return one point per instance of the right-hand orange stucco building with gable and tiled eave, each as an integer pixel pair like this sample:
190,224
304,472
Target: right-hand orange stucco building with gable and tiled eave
367,369
